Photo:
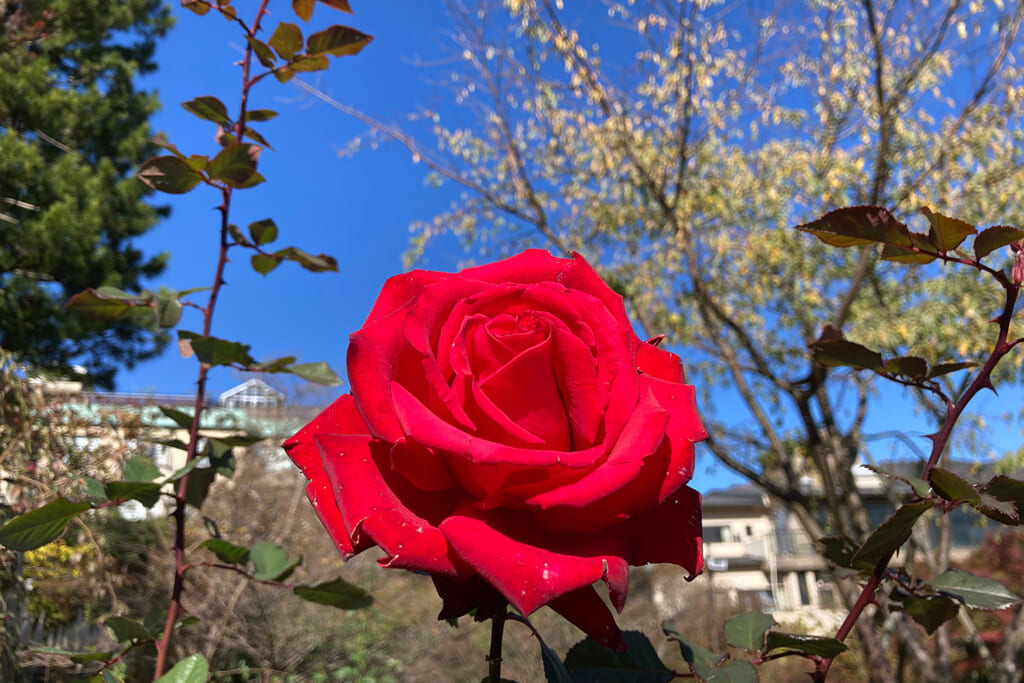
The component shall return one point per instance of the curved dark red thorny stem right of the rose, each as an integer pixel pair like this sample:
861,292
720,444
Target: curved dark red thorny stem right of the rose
1002,348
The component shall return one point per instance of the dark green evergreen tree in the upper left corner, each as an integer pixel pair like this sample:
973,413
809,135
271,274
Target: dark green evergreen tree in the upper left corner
73,129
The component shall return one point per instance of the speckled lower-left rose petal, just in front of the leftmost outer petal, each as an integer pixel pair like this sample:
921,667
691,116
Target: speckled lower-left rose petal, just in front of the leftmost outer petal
370,508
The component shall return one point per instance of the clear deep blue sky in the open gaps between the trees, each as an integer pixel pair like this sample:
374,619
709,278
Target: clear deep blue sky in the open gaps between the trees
357,208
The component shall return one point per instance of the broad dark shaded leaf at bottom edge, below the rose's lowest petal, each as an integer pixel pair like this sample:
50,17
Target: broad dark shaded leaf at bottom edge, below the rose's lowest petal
589,661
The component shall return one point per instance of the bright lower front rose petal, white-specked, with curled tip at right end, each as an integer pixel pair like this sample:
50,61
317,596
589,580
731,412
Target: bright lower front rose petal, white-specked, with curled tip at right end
529,577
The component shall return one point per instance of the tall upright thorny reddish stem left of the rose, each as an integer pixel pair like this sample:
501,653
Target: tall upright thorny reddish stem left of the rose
175,609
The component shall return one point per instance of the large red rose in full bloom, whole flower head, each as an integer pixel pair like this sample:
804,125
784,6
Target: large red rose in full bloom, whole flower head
509,435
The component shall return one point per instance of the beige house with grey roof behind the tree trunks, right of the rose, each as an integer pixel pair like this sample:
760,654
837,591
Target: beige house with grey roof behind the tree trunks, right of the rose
759,557
